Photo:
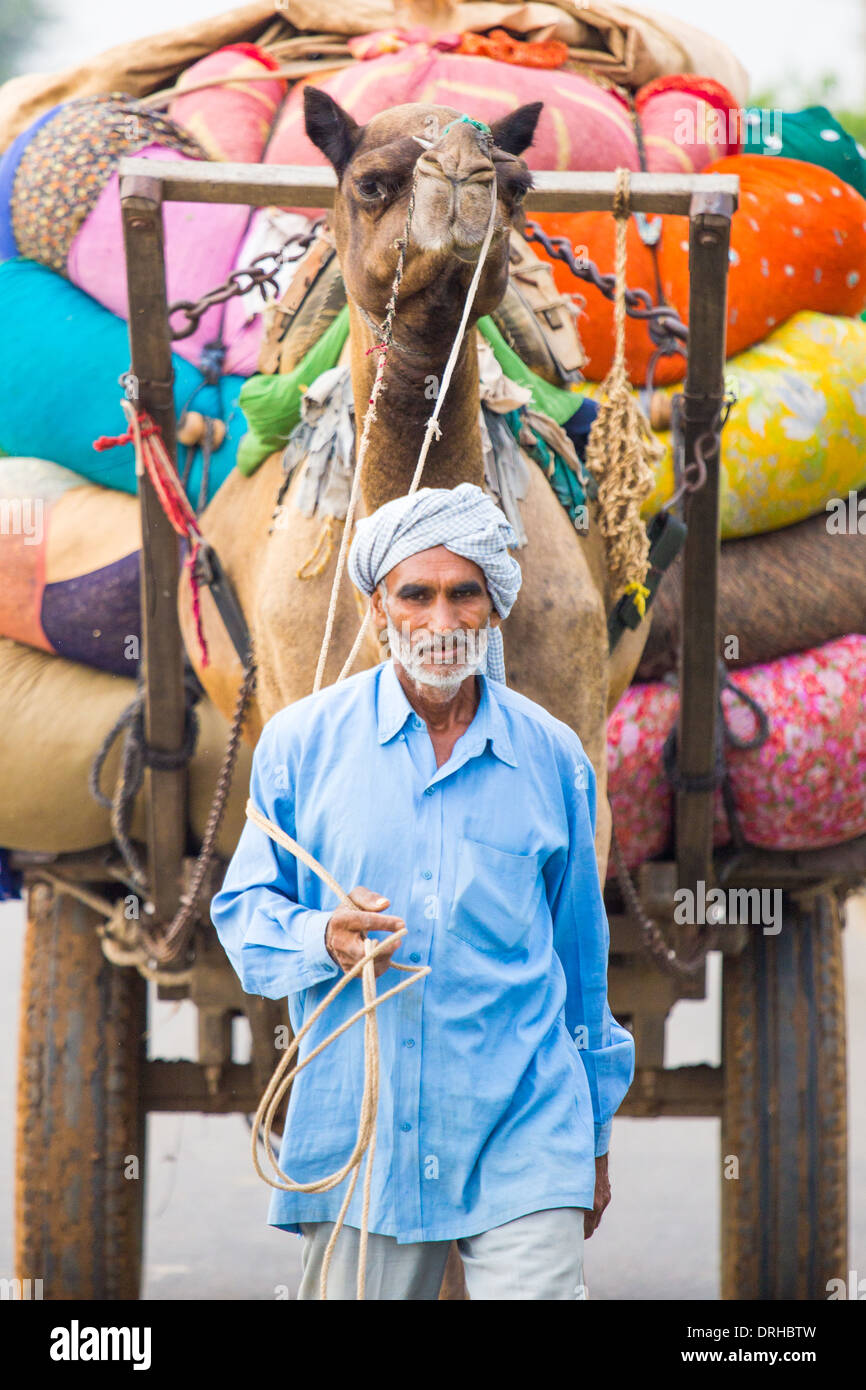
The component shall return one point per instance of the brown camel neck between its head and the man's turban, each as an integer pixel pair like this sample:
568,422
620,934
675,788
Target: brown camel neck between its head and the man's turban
412,379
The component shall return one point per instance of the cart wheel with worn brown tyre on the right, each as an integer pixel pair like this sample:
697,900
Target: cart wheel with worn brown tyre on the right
785,1217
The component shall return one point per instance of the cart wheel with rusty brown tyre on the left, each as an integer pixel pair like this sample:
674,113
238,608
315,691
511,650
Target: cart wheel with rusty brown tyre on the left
79,1217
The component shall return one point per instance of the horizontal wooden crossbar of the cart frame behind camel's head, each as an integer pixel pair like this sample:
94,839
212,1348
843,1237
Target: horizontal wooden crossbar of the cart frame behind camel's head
298,186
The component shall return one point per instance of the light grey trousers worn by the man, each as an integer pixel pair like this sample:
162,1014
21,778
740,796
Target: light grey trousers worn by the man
536,1257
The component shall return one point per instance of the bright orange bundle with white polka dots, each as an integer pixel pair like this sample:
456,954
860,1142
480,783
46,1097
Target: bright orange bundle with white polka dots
799,241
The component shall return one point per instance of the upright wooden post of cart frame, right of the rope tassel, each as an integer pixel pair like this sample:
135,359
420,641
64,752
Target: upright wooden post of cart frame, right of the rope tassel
708,263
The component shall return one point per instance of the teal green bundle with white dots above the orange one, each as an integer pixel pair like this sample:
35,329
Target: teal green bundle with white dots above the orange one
812,136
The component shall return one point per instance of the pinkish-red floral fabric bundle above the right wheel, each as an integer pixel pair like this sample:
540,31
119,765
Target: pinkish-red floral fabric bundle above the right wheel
804,789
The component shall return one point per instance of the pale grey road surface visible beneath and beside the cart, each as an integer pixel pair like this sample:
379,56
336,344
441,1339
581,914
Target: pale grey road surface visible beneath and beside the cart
660,1239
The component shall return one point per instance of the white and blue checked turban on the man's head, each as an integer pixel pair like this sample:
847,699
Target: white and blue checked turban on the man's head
464,521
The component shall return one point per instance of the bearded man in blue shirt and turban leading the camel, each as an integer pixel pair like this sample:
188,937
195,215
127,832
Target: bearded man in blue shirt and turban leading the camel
469,812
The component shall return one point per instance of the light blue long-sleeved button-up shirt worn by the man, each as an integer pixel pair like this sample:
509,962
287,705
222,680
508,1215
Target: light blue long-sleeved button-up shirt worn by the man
503,1068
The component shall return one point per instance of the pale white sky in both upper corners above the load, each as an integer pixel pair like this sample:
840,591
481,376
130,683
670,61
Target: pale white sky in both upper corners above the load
785,44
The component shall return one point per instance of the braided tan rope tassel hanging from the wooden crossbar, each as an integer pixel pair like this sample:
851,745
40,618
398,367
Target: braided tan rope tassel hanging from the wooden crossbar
622,448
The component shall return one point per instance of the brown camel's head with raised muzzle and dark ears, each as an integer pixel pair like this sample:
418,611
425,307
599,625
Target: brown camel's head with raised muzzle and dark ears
457,169
